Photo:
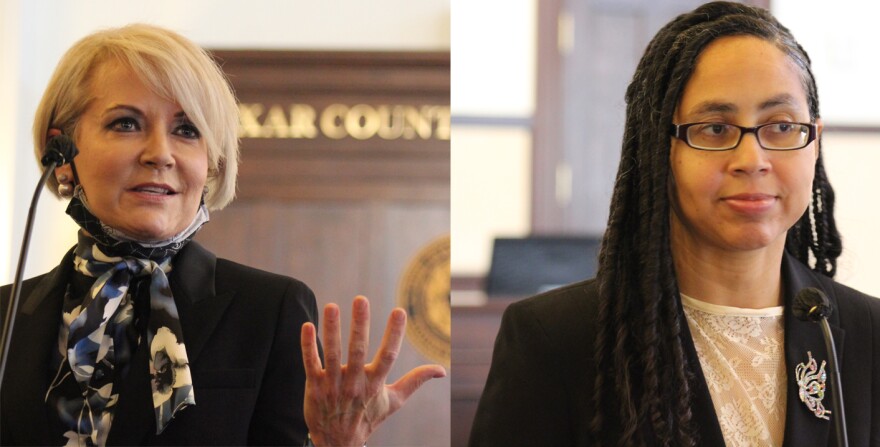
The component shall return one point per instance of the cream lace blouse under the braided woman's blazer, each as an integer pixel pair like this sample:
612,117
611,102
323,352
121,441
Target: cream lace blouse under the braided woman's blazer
741,352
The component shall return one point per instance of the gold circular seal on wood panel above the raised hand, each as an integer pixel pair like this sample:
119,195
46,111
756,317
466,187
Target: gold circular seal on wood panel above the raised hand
424,293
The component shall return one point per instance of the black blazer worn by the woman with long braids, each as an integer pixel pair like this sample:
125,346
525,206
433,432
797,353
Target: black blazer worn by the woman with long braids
540,383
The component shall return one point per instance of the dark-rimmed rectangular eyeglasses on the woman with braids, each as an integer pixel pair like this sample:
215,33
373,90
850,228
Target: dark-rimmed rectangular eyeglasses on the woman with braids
722,137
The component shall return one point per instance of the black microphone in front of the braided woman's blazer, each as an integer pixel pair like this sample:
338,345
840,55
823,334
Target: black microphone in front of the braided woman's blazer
811,304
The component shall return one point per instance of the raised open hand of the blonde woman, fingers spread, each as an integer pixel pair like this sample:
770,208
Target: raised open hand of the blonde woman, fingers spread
345,403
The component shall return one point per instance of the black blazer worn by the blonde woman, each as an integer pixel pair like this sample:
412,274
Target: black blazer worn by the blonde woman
241,328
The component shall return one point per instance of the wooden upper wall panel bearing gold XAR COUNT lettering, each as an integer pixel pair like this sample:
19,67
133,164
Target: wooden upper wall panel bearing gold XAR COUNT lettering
342,125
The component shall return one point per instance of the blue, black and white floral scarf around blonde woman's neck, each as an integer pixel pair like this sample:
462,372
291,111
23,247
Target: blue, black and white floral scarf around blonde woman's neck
96,334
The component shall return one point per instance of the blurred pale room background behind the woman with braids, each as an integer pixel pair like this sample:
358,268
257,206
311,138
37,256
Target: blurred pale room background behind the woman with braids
538,110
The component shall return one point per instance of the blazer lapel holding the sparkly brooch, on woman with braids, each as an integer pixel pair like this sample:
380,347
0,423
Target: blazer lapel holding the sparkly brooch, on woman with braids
802,427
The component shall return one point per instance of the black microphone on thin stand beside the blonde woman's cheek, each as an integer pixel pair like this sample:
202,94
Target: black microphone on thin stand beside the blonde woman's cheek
60,150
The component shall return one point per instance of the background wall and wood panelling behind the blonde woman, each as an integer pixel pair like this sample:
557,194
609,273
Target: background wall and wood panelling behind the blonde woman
344,180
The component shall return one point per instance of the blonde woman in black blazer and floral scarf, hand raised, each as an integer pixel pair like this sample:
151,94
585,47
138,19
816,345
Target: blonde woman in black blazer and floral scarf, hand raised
141,336
